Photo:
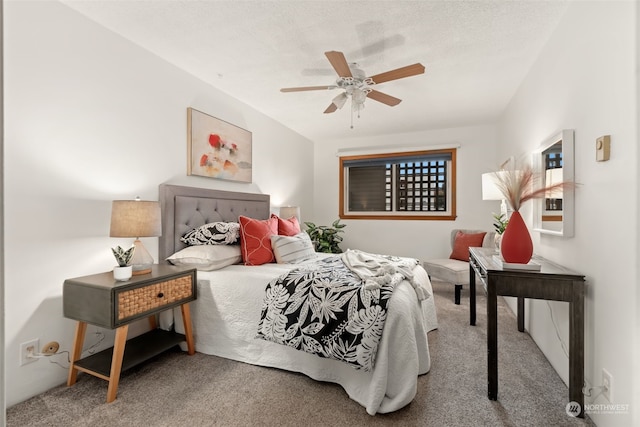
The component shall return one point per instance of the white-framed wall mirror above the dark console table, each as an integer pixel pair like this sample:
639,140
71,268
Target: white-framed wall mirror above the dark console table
554,163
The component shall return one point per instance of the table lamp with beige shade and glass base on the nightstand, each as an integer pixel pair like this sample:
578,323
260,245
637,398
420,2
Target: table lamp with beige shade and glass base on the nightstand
136,218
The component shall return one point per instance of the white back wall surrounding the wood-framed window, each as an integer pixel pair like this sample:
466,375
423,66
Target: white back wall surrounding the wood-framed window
419,239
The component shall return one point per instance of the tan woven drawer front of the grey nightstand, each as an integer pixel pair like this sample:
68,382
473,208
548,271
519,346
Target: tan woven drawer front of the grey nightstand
141,300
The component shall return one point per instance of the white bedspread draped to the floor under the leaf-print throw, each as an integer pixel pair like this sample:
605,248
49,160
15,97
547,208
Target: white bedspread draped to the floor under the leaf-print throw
226,314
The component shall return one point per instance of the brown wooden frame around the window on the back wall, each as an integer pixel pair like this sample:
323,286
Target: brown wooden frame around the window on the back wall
401,215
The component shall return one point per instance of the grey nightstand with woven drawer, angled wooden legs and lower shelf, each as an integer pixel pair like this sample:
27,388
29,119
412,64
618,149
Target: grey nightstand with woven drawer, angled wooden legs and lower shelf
102,301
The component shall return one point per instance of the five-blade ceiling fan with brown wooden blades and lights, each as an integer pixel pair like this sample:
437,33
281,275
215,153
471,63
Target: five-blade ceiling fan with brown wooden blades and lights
357,85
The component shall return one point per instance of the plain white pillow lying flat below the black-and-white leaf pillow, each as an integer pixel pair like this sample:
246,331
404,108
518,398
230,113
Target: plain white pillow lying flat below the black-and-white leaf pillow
207,257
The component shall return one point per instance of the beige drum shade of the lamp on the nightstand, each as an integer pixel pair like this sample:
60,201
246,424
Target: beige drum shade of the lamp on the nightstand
135,218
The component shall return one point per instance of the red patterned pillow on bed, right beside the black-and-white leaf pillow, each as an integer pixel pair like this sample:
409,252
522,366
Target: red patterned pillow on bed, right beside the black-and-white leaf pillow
255,240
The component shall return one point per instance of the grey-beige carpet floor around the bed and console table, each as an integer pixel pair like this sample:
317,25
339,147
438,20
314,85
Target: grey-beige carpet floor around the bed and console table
174,389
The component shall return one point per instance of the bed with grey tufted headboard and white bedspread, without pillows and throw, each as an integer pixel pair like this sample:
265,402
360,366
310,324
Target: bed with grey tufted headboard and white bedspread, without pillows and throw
226,314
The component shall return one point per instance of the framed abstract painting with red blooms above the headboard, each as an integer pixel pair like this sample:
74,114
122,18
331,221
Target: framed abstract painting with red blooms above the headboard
217,149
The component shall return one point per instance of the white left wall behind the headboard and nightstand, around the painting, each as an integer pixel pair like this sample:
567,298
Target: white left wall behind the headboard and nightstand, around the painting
91,117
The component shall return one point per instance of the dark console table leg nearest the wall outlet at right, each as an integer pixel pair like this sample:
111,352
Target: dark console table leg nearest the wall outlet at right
576,346
